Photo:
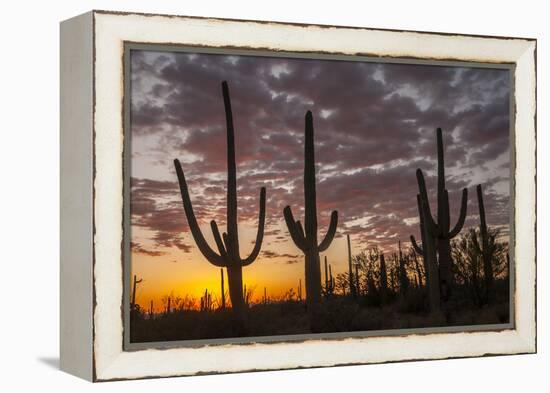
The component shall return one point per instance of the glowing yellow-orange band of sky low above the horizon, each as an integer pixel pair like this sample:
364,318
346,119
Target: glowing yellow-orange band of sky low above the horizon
190,273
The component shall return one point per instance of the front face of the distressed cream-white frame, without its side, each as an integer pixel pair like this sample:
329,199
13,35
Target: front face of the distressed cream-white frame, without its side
111,30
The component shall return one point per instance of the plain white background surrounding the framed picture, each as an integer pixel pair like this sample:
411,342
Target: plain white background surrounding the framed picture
29,185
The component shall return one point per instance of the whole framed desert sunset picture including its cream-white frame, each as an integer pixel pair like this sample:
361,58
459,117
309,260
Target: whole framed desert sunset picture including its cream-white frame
245,195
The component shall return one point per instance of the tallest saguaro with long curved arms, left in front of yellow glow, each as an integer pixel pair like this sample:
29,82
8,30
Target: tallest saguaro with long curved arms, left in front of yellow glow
228,254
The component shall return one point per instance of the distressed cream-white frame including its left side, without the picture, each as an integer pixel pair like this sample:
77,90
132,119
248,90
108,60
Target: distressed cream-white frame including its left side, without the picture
94,279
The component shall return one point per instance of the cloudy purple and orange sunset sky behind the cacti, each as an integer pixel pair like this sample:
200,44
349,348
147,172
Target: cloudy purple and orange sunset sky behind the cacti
374,126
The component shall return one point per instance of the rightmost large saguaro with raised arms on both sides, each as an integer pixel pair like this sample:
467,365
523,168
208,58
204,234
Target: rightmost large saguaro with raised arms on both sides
440,228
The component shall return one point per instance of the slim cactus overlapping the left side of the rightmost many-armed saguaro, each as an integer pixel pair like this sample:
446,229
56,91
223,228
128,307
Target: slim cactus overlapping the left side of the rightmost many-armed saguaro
429,255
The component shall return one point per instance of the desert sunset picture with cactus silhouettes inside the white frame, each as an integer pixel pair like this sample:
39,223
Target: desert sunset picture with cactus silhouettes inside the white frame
280,196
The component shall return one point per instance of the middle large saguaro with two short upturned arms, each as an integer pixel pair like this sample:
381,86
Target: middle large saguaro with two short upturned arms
306,240
